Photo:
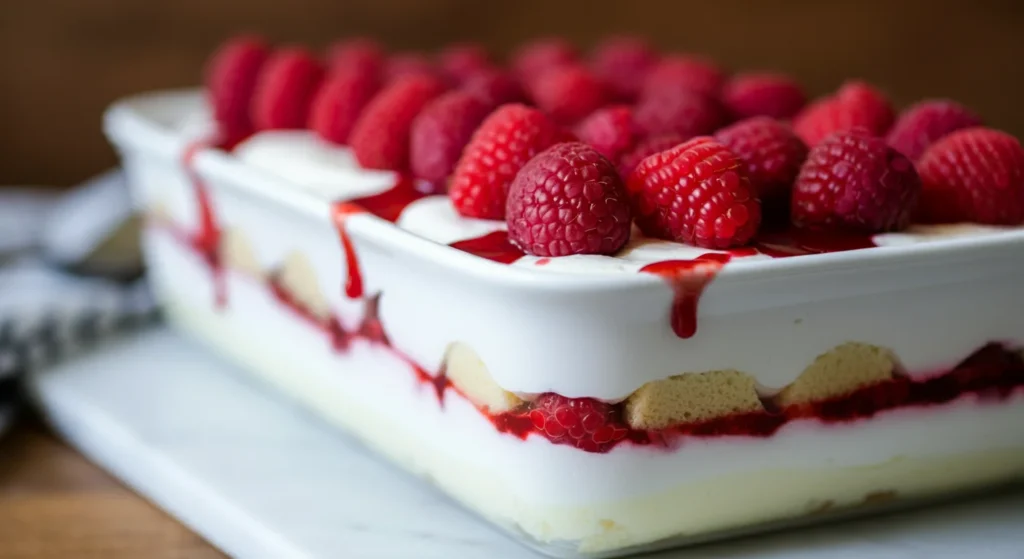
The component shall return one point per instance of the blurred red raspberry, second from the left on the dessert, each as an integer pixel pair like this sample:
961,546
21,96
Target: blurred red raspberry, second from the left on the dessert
285,90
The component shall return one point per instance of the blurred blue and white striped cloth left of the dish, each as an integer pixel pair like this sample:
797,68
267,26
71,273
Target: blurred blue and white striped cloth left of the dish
48,313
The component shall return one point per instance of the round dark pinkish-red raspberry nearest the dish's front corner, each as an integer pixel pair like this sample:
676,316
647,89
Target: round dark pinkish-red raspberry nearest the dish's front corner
569,200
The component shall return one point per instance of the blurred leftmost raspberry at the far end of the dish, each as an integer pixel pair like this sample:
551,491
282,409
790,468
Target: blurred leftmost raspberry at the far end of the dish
231,81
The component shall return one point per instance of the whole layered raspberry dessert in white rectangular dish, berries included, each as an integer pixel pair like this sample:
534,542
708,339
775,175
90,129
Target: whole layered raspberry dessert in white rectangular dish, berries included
611,304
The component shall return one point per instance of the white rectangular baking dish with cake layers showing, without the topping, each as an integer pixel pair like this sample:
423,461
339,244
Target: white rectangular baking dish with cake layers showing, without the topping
440,362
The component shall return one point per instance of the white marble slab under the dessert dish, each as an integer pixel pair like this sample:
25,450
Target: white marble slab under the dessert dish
260,478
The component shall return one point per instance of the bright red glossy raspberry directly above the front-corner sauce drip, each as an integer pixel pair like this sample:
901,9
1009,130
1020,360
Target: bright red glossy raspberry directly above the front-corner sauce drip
696,193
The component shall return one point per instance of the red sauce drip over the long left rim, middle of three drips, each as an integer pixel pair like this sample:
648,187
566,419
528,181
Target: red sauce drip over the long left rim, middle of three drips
388,205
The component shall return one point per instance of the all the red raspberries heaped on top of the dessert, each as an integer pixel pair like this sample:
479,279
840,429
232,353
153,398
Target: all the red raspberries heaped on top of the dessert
572,151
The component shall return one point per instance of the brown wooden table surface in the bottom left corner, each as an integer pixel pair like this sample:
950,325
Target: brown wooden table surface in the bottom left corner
55,504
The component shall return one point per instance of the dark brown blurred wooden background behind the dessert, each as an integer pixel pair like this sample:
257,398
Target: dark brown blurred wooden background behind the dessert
62,62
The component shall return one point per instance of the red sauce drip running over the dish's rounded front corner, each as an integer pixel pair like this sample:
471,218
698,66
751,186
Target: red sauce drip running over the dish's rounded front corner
689,280
